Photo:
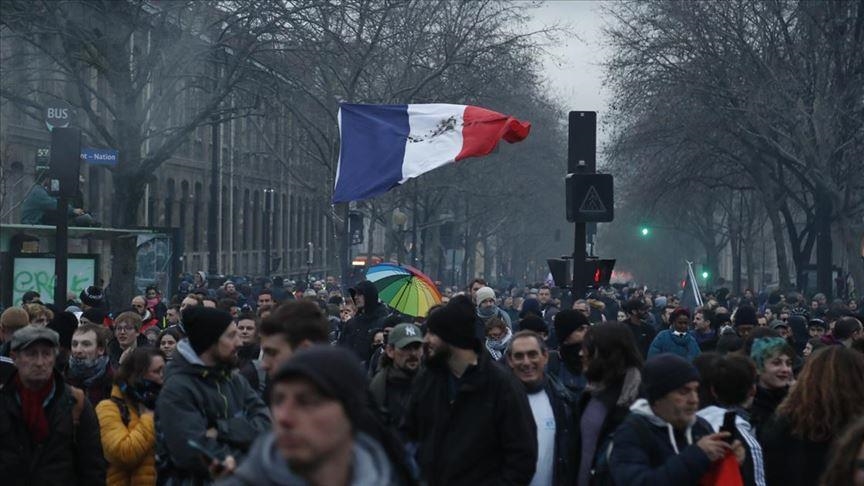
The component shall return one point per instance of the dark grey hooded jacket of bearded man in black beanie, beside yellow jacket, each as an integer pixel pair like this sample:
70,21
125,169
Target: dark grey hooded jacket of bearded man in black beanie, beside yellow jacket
196,398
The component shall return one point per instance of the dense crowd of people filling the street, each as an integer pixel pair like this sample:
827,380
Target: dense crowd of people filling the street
239,385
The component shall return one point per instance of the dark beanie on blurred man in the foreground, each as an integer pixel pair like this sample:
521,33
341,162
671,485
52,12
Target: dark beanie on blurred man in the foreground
335,371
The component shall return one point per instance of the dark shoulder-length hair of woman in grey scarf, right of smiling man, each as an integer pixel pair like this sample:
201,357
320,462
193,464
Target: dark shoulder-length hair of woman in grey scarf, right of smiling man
612,350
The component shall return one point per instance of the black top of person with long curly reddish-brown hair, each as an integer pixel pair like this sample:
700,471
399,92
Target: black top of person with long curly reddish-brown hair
791,460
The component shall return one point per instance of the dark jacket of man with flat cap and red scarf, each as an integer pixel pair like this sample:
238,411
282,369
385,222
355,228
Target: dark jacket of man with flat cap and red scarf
69,456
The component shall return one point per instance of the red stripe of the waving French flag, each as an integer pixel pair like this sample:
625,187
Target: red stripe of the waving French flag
482,129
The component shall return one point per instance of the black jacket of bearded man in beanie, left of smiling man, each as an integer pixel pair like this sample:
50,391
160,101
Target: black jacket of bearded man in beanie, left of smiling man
485,435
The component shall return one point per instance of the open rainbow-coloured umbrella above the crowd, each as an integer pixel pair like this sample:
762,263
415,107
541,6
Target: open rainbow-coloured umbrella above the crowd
404,288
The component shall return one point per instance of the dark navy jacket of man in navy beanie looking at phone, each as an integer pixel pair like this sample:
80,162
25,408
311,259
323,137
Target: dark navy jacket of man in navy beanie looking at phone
666,459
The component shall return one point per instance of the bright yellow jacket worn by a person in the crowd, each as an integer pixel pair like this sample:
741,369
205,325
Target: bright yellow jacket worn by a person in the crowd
129,449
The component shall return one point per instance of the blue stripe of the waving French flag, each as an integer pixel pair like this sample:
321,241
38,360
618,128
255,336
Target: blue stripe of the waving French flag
373,148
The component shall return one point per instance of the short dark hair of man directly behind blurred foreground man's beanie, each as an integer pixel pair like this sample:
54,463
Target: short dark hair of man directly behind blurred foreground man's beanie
297,321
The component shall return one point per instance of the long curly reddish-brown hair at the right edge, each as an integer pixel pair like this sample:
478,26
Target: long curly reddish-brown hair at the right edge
827,396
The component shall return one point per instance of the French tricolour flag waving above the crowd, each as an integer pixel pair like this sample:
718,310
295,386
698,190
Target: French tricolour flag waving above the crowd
383,146
